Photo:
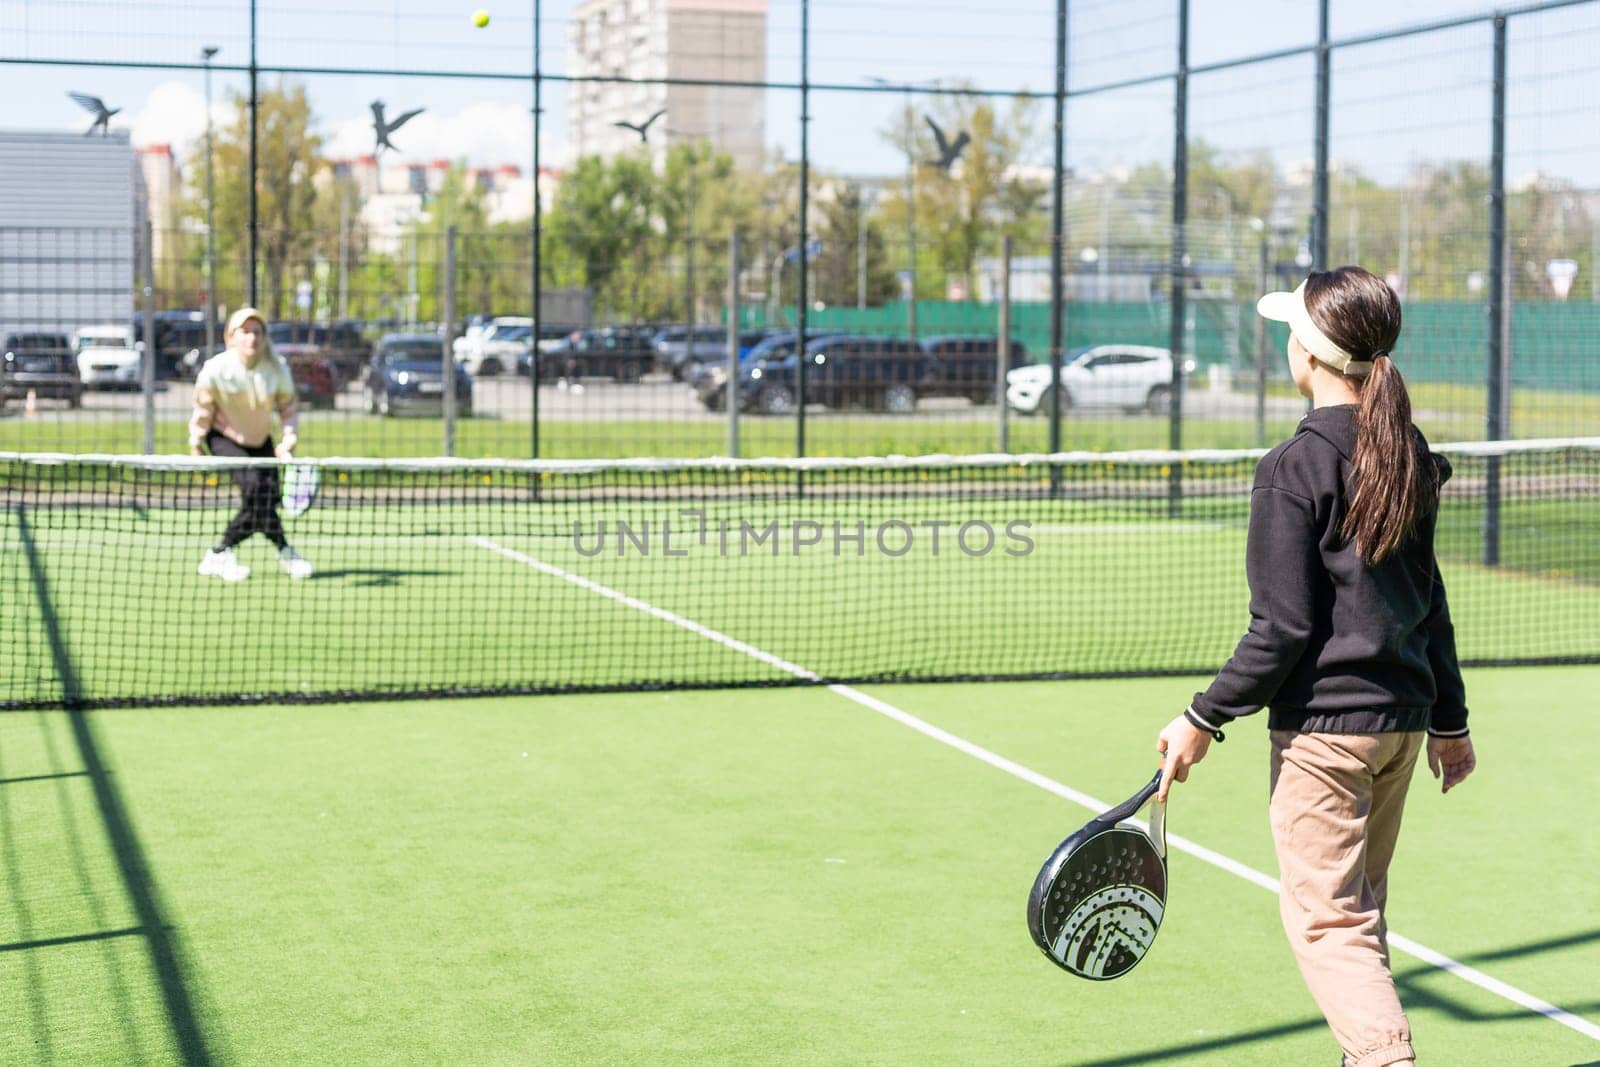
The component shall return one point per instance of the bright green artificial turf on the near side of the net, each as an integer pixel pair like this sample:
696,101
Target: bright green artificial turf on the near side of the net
727,877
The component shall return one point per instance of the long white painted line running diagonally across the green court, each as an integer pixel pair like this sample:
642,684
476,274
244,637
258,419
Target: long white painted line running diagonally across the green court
1049,785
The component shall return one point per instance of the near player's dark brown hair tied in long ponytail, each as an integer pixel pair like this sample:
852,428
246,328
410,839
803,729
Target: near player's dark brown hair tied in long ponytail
1394,484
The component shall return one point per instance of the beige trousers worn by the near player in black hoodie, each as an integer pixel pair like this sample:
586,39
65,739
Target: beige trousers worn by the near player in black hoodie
1337,804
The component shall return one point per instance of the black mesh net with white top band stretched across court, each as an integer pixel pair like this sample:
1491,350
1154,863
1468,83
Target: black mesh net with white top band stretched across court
439,578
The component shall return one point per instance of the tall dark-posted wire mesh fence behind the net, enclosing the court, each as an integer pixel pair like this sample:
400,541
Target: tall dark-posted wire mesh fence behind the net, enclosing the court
639,230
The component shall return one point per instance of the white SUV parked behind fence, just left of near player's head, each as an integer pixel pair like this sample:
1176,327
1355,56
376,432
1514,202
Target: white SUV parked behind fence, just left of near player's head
1130,377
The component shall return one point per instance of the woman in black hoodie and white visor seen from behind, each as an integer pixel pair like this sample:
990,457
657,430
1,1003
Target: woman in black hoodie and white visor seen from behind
1350,649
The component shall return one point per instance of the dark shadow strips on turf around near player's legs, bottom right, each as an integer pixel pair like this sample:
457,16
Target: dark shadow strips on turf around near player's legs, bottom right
1414,996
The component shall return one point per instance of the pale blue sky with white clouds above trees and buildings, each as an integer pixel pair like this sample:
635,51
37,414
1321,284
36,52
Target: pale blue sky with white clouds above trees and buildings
1396,105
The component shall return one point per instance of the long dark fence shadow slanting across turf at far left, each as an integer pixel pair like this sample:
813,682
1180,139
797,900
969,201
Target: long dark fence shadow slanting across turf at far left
138,882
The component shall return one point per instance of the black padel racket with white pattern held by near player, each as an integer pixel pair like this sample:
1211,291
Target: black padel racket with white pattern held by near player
1100,898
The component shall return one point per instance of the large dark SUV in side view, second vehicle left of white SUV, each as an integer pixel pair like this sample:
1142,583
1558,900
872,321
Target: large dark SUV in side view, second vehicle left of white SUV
876,374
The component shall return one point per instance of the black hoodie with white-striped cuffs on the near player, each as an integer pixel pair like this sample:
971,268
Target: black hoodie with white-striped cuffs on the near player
1335,645
